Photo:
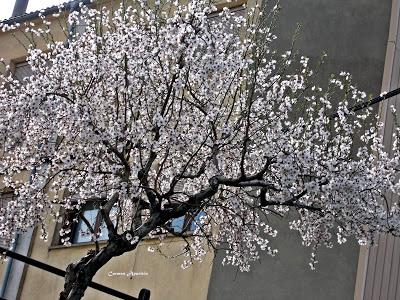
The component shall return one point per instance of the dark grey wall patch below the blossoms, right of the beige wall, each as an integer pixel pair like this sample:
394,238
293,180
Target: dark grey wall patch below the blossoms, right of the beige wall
288,275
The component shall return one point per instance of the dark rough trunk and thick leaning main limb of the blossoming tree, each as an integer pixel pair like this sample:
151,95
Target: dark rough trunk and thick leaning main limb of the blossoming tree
80,274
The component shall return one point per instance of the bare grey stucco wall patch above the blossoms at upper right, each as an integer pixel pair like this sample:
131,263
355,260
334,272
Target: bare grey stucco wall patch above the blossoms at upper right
353,33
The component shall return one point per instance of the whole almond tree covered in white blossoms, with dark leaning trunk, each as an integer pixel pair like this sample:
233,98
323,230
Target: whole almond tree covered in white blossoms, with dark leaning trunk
168,110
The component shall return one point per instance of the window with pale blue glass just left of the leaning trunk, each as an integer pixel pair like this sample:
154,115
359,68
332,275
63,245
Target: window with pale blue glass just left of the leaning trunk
75,230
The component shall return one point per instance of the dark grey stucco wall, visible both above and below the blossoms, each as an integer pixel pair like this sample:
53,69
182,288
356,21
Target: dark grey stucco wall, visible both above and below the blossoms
354,34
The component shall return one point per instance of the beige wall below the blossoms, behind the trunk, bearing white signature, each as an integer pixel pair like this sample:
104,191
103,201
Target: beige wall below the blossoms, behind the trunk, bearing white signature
156,272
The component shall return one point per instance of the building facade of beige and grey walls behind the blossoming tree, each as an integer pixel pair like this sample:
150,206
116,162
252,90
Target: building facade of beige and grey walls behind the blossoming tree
359,36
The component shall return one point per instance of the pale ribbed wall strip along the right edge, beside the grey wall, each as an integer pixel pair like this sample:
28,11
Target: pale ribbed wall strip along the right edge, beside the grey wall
379,278
